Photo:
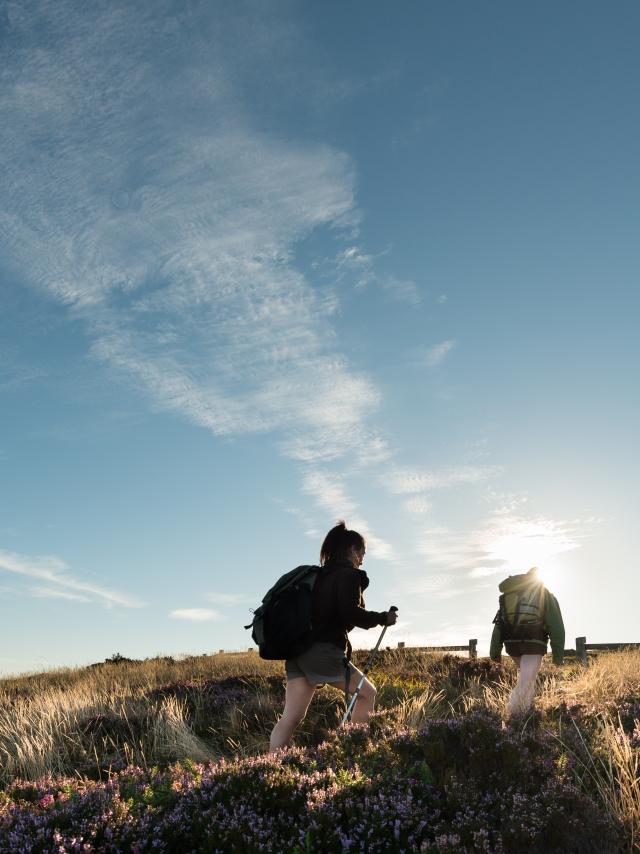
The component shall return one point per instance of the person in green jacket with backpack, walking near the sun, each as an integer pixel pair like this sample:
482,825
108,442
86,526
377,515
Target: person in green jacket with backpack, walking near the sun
529,615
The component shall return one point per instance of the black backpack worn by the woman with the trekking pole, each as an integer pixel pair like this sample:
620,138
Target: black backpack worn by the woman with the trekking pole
281,626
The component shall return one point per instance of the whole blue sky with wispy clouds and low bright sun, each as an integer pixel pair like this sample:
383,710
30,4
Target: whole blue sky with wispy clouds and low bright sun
267,265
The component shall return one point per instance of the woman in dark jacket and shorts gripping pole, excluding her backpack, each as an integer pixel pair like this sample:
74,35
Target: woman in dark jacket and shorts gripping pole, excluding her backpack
337,607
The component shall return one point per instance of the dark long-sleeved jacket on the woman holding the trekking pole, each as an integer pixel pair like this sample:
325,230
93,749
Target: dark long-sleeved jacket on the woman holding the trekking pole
338,605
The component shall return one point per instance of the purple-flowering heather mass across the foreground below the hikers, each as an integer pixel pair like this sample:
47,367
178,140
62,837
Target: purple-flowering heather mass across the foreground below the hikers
370,789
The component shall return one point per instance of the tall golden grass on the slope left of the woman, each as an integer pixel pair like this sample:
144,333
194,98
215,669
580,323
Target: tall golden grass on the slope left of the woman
43,717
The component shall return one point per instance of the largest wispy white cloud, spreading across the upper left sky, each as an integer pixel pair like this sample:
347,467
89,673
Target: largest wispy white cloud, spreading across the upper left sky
167,223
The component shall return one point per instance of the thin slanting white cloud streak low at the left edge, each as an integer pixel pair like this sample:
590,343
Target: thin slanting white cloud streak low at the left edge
56,572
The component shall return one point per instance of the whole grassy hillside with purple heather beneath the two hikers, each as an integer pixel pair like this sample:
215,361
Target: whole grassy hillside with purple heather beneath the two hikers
167,755
